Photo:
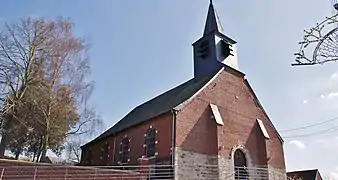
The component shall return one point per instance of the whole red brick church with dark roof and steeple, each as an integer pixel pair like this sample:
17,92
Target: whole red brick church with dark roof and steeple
213,119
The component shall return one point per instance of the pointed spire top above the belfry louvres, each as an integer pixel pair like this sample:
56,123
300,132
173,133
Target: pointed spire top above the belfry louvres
212,23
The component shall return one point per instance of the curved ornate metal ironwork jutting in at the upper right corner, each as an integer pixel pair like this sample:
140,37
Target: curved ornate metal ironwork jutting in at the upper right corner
320,43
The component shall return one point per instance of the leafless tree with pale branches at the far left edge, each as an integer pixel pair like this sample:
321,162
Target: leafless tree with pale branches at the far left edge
20,46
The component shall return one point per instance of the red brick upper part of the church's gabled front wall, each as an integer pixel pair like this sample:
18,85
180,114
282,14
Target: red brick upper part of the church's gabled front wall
197,131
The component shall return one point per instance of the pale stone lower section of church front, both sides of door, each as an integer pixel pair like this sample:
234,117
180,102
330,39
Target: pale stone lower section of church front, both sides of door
195,166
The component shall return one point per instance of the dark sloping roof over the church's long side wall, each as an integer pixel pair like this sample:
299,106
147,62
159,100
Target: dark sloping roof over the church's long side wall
156,106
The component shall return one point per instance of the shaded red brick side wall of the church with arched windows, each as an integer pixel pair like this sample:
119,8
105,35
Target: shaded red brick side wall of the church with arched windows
162,124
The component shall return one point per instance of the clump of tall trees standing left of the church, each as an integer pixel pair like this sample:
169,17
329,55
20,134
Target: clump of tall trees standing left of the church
44,66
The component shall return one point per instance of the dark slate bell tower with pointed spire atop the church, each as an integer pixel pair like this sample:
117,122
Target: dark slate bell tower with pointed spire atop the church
214,49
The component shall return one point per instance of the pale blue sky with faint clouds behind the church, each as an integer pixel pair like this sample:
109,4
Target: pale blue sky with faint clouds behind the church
143,48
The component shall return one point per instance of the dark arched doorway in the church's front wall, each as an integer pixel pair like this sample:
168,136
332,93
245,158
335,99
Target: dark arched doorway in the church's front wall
240,165
